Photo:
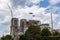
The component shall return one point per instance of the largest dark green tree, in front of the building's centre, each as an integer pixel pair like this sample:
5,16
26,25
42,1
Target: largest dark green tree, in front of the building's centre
33,33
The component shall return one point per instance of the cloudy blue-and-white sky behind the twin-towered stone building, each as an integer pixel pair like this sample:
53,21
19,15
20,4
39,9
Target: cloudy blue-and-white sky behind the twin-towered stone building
42,10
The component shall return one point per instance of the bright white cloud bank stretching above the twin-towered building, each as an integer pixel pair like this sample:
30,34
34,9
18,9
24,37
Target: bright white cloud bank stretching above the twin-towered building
24,12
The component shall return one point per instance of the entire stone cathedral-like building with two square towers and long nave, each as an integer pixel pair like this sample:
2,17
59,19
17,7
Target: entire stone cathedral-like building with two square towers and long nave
24,24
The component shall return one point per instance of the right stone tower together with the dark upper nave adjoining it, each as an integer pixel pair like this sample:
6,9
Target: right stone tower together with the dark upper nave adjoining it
24,24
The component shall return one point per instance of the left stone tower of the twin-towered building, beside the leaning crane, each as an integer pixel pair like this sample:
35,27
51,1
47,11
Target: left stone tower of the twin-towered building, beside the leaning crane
14,28
